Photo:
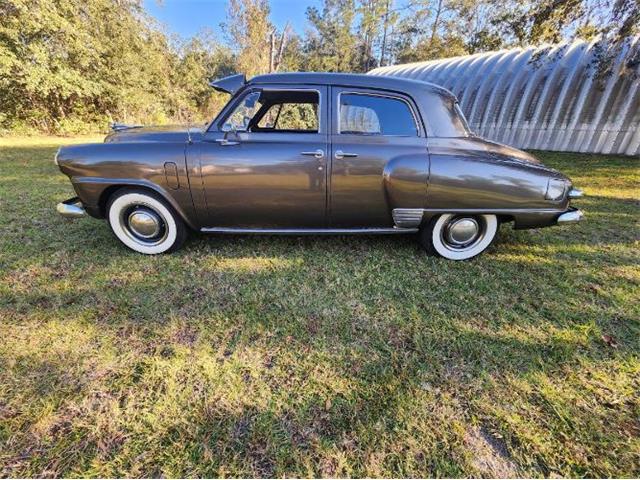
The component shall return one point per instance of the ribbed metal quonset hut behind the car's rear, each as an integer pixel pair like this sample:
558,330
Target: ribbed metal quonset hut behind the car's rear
544,98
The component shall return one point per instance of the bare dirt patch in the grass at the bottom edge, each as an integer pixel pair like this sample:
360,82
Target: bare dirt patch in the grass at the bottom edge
490,456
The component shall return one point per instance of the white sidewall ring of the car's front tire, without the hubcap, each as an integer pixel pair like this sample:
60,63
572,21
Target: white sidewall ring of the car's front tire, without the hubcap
125,200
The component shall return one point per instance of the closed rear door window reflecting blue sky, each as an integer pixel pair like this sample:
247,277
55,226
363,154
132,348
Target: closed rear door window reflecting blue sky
372,115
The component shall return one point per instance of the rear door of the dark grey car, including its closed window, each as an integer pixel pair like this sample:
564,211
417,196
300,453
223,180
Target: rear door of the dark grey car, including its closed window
371,132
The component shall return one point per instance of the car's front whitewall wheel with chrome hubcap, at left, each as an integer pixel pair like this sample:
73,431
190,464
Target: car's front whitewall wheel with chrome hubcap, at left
144,222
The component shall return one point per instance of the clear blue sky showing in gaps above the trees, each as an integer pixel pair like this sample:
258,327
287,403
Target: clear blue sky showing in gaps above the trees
187,17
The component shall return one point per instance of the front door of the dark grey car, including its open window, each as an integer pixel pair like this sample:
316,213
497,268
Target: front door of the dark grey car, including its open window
260,175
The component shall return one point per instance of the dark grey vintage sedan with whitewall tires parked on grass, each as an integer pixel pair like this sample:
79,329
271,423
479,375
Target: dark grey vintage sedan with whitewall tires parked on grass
316,153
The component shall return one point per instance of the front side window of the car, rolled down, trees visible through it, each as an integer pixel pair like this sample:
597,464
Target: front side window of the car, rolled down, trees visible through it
294,111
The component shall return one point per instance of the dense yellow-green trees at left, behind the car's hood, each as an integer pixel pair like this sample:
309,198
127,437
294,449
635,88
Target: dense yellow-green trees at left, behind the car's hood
66,64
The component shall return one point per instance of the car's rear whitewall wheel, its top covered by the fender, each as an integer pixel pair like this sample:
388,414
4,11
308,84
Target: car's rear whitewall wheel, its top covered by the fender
459,237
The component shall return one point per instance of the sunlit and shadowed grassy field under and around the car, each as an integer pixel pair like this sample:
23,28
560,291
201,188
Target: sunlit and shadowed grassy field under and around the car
343,356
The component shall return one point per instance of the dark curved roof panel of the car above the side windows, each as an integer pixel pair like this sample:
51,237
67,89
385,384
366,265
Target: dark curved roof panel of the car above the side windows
351,80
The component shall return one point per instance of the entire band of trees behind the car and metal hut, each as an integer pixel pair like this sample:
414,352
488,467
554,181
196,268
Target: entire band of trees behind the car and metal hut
74,65
